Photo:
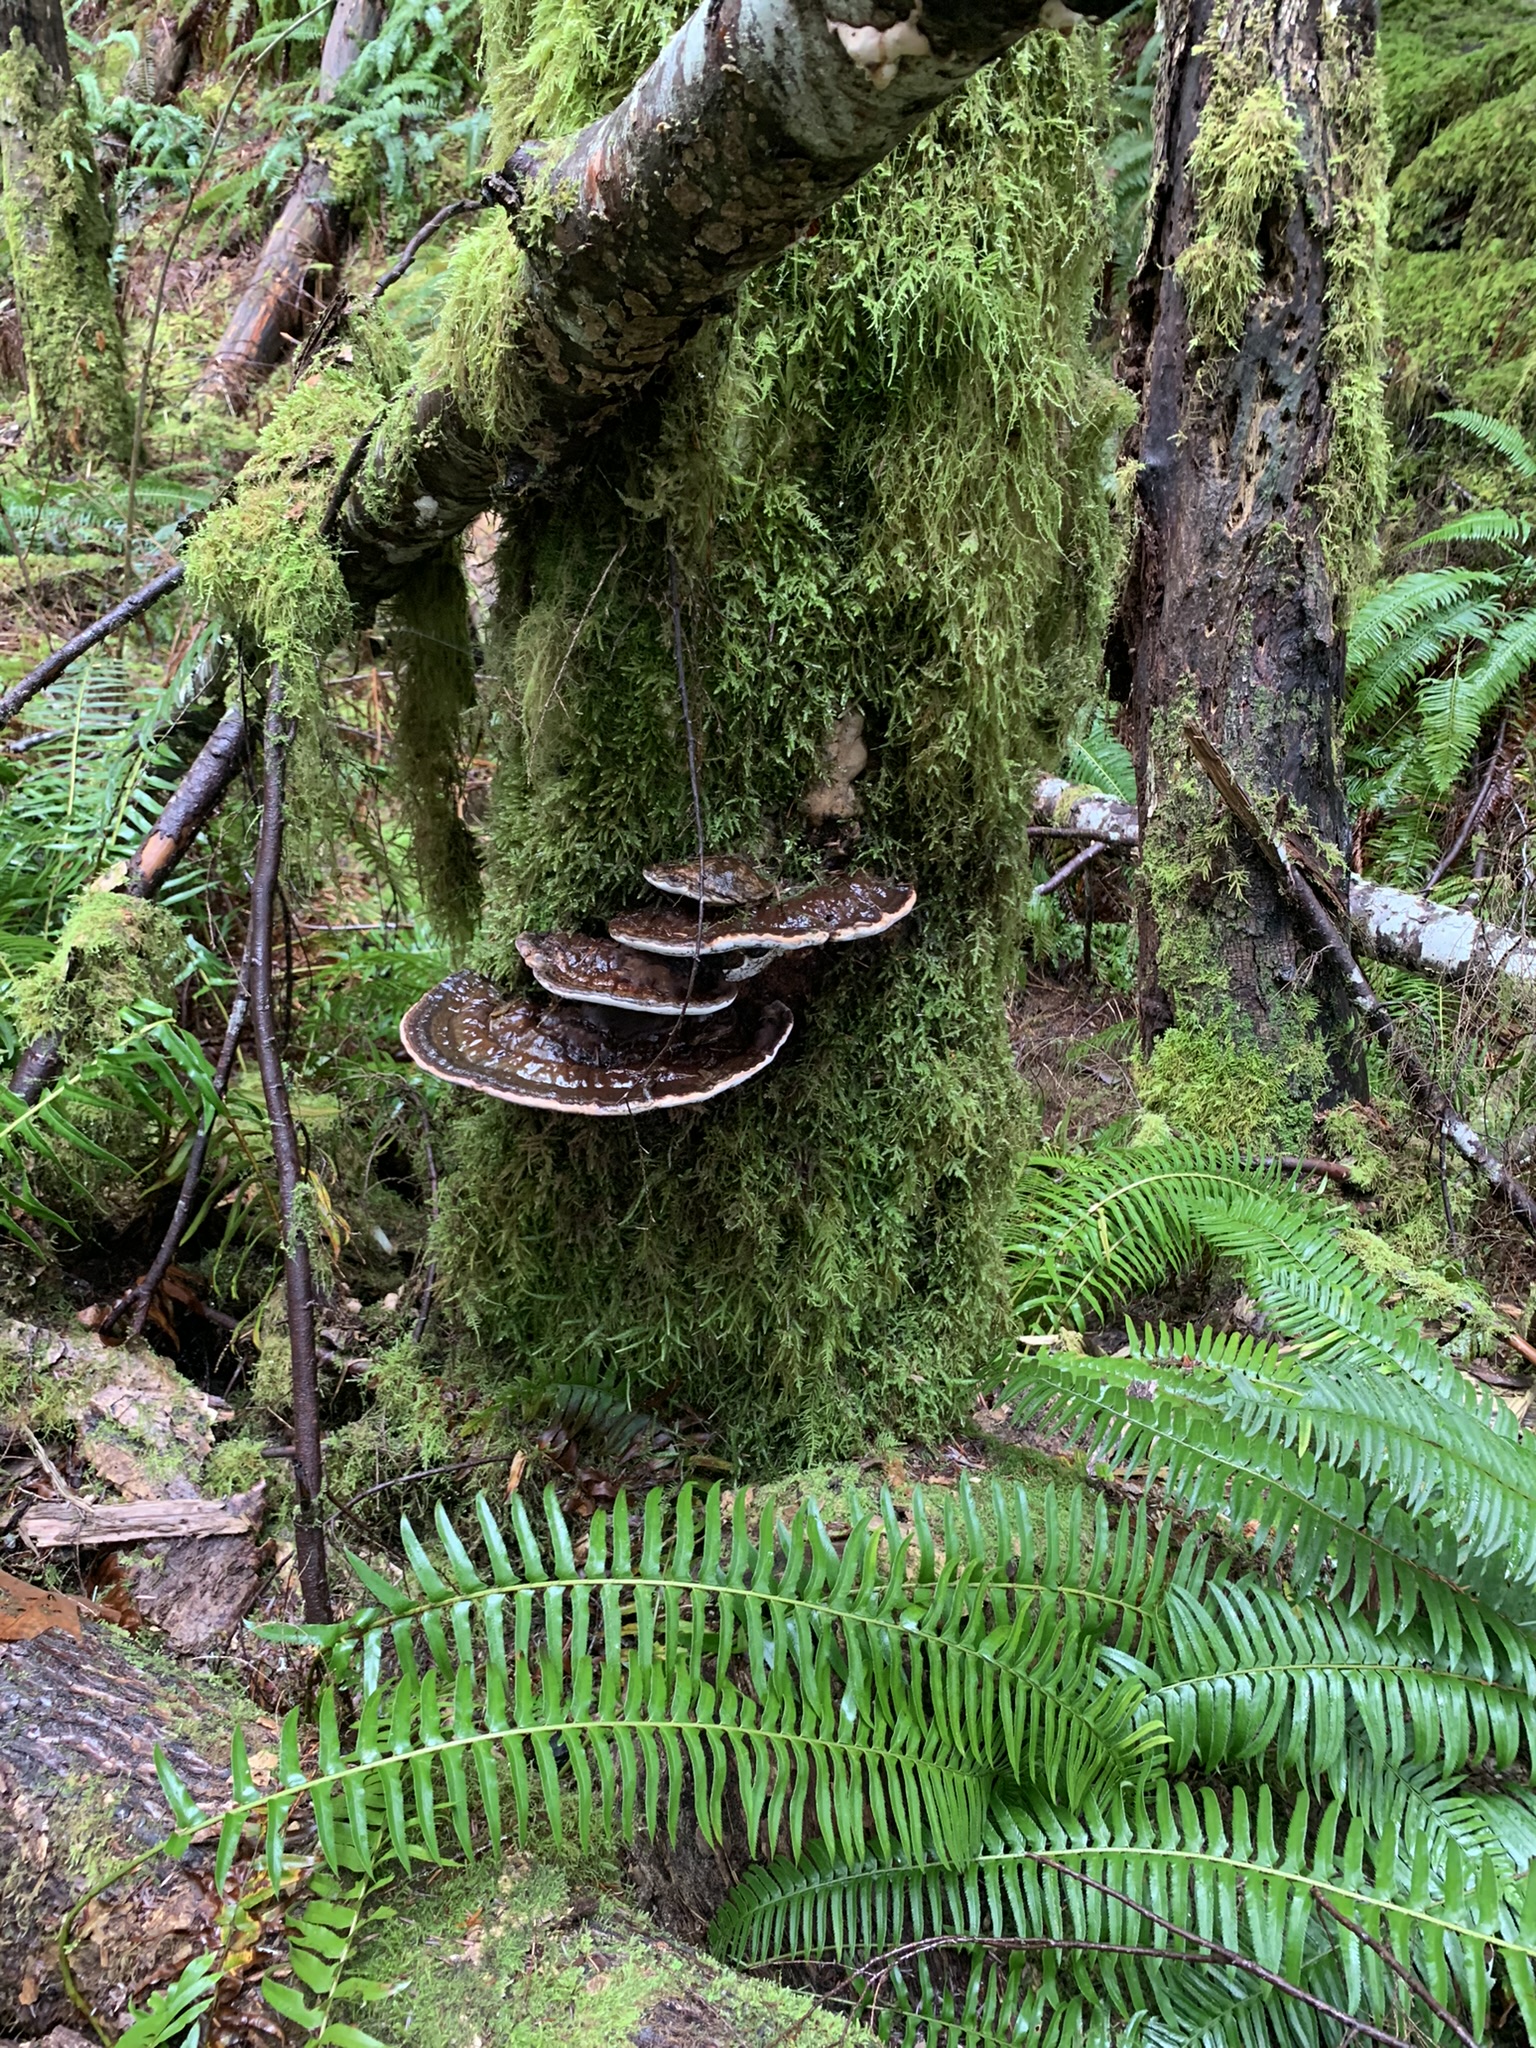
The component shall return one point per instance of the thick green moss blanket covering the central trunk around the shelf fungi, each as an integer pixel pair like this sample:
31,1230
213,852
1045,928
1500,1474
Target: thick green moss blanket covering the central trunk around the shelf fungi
888,488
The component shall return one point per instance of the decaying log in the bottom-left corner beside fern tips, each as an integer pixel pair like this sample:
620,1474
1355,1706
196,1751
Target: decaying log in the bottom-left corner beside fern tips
79,1725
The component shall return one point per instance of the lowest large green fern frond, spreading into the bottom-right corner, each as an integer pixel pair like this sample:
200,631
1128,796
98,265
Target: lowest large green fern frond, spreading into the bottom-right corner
1248,1877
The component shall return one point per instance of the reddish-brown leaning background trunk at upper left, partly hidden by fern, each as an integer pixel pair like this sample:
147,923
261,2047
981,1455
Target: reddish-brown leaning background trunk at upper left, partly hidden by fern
298,263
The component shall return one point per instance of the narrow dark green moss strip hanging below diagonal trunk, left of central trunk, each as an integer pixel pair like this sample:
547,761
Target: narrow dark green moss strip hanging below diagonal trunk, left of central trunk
435,685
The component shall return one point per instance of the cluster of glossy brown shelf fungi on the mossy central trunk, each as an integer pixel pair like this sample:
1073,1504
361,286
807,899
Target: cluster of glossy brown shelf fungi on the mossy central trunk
663,1011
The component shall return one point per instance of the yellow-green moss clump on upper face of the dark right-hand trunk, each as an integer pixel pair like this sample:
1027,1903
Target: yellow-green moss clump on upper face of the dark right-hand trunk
1244,163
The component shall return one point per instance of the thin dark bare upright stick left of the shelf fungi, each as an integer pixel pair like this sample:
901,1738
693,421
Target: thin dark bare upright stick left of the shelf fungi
308,1474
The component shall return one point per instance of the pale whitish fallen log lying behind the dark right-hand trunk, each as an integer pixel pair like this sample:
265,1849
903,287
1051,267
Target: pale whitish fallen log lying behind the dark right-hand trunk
1388,925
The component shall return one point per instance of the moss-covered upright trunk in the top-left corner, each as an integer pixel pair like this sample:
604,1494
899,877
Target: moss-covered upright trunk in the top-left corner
60,243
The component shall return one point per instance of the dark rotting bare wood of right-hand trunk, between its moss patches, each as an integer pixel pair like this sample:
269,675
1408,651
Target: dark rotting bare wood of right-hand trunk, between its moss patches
1230,599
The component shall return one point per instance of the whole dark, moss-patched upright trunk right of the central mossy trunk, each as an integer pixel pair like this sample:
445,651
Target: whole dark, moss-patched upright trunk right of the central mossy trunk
1254,349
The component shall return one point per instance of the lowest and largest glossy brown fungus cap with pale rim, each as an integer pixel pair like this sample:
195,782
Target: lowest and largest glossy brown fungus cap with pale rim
558,1058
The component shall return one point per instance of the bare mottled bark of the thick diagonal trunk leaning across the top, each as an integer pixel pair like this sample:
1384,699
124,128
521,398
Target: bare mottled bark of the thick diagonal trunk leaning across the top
749,126
